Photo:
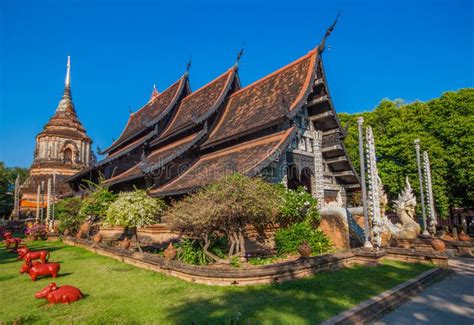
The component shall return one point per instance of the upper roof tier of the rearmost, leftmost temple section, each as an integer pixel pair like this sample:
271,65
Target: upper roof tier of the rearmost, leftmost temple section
151,113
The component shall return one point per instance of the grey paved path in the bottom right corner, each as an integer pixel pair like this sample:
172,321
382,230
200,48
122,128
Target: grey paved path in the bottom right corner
450,301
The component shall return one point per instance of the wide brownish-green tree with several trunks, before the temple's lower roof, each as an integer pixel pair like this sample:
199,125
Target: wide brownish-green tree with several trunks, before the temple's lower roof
226,207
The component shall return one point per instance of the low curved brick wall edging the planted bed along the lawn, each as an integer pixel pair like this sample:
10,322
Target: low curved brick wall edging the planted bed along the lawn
226,275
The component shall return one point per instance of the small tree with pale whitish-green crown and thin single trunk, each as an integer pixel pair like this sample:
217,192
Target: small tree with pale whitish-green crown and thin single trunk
134,210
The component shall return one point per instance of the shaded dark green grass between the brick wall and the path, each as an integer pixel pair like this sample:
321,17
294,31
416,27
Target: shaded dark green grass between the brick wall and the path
310,300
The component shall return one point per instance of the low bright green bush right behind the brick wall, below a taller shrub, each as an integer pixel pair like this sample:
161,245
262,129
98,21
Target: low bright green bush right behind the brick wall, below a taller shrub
287,240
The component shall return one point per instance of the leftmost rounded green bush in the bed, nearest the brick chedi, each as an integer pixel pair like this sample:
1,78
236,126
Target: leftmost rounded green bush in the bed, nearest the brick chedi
67,212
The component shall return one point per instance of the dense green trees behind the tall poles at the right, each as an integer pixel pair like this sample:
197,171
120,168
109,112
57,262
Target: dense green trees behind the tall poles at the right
443,125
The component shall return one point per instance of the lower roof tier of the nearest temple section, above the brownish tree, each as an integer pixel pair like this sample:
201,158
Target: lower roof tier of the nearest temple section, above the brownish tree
248,158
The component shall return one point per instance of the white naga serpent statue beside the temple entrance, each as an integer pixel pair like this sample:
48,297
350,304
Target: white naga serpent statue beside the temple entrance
405,207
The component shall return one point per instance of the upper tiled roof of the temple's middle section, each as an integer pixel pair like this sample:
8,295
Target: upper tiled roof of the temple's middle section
199,105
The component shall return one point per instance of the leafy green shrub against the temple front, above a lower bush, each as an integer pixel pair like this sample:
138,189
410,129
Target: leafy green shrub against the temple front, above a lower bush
296,206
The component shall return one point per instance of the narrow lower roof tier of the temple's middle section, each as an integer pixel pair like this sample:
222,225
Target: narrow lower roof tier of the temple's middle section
156,159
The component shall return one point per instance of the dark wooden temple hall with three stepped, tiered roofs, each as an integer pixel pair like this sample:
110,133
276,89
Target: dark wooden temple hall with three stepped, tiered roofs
282,127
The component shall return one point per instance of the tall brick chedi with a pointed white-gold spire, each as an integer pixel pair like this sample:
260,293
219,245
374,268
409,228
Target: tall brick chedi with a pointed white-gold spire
62,149
